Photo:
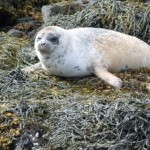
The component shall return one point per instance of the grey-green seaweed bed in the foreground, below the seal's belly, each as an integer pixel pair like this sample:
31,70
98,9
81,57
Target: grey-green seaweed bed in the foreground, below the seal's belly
53,113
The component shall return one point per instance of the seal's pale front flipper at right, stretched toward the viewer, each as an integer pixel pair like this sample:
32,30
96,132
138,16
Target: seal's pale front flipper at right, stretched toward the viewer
108,77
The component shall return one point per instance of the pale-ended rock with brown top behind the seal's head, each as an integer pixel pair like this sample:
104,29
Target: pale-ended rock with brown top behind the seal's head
66,8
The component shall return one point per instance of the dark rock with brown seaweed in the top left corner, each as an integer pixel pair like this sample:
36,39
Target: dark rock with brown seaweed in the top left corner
18,9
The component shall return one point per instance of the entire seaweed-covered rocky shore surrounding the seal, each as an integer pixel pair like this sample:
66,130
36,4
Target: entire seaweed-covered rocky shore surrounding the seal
44,112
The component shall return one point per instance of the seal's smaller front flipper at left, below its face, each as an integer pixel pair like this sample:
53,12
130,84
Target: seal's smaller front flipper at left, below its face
32,68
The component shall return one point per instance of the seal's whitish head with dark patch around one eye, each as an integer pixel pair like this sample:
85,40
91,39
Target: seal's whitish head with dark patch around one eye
49,40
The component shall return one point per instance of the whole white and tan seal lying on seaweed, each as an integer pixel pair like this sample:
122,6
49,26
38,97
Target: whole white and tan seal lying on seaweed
86,51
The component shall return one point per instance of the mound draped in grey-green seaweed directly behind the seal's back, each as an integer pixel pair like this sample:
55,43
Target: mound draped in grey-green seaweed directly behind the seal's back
129,18
